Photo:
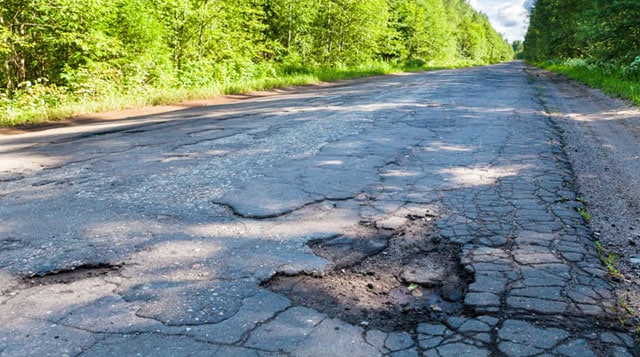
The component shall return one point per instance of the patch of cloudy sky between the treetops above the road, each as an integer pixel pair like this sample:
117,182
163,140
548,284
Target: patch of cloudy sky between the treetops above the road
508,17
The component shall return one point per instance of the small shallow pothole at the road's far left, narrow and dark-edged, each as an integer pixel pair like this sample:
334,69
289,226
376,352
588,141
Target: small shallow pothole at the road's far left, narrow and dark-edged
70,275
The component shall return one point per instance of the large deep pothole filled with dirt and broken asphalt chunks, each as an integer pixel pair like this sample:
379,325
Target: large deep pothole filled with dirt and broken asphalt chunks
389,281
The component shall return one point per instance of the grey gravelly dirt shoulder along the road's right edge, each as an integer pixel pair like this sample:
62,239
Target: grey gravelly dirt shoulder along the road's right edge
602,140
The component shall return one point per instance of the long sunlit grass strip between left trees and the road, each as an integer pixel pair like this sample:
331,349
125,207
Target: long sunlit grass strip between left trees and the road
40,103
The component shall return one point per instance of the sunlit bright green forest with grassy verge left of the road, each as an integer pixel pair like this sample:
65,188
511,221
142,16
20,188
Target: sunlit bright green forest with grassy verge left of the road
63,57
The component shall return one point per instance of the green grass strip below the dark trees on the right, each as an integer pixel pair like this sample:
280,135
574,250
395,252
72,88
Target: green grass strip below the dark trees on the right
610,79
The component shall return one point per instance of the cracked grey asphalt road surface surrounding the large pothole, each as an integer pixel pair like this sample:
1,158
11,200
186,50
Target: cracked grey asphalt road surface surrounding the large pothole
152,236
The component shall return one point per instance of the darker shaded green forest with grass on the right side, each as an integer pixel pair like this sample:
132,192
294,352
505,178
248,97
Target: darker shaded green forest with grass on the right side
596,41
